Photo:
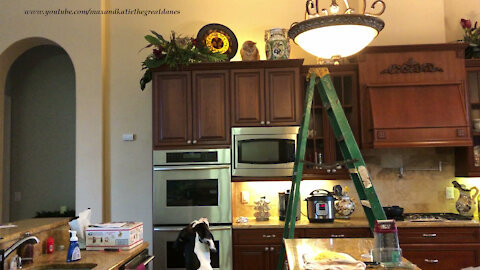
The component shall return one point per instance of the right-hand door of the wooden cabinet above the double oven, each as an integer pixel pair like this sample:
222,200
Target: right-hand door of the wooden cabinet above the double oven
211,108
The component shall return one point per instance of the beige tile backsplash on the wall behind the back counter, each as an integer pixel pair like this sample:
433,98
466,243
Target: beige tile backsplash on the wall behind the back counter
421,188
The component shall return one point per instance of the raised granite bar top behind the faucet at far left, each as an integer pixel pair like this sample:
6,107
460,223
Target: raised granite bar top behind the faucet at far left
33,226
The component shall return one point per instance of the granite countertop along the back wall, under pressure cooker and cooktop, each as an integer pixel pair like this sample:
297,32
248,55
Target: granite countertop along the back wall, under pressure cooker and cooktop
353,222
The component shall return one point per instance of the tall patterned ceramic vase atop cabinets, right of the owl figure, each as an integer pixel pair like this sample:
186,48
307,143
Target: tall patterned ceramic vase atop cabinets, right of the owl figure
276,44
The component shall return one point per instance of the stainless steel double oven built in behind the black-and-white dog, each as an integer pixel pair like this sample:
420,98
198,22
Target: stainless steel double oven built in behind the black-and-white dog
188,185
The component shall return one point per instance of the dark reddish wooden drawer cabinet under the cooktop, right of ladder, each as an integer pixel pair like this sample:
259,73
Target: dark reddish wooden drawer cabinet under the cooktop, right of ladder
441,247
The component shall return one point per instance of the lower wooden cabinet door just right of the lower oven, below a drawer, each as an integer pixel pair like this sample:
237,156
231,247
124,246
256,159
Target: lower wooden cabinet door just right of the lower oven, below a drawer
250,257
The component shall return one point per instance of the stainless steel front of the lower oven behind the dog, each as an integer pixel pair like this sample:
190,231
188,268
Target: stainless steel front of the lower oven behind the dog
162,235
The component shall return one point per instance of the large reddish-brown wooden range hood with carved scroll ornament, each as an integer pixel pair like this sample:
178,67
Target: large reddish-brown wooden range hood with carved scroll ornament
413,96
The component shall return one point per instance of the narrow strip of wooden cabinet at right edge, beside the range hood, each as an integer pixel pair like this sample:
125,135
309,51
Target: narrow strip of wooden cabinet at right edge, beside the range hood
467,159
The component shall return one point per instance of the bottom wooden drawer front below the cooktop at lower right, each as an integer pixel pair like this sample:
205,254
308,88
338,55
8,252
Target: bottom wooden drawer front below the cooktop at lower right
440,257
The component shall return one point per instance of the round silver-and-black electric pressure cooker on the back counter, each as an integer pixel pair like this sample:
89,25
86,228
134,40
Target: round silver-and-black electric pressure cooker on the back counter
320,206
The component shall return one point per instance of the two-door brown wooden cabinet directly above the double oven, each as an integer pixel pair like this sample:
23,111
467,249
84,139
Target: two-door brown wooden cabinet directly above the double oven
191,109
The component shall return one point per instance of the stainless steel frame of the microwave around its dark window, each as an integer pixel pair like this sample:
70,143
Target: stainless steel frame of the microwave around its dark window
261,170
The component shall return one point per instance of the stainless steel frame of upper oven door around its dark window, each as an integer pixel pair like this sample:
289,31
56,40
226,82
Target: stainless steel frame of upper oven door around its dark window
163,214
